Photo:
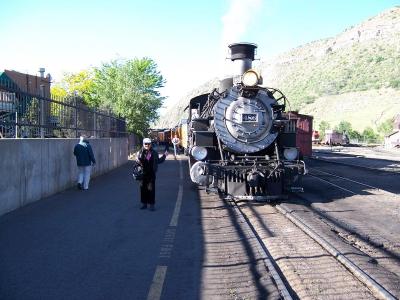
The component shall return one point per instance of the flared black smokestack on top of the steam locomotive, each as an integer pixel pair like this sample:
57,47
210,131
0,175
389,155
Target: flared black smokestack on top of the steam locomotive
242,54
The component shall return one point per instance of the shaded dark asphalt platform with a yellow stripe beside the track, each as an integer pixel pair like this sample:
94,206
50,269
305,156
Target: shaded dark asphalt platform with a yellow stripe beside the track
98,244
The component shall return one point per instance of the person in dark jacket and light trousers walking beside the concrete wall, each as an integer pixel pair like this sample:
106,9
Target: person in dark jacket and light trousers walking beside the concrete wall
84,160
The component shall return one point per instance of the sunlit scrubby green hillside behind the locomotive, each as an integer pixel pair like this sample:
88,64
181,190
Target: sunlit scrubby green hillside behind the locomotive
354,76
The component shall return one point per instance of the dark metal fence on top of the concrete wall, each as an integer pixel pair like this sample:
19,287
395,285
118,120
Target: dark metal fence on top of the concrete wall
26,115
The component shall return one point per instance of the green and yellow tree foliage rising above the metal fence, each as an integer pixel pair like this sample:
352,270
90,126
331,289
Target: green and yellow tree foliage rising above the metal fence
127,87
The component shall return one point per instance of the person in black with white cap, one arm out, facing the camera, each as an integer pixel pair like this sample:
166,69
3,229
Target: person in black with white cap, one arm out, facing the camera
149,159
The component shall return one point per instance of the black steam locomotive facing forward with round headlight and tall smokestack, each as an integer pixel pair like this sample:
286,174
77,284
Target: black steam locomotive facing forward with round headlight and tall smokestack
241,142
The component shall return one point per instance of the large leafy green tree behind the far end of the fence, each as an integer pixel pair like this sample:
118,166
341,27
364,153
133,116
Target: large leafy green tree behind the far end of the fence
130,89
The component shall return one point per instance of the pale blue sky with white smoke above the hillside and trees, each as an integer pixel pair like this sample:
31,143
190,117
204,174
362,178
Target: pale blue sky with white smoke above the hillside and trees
187,39
